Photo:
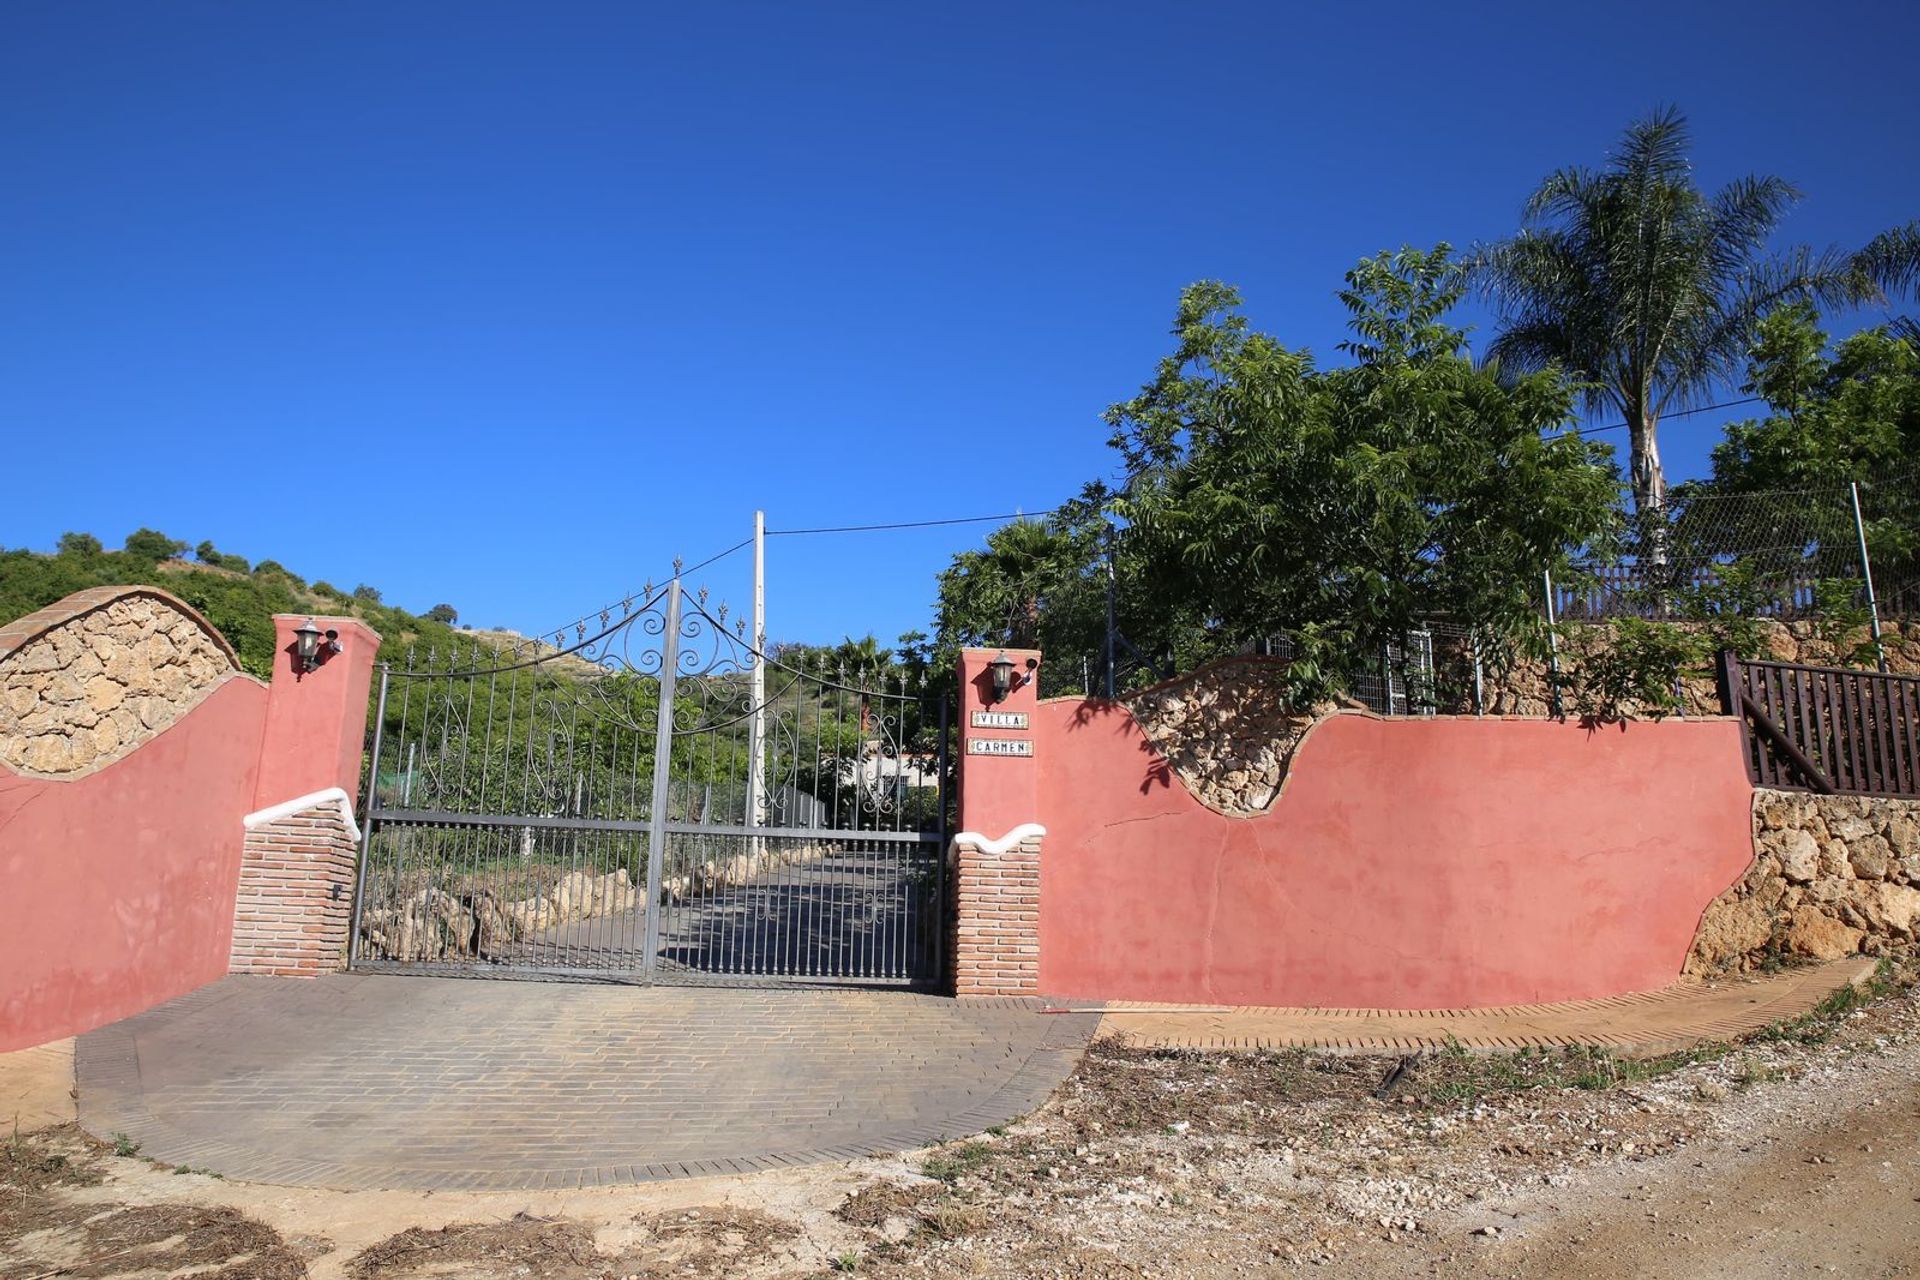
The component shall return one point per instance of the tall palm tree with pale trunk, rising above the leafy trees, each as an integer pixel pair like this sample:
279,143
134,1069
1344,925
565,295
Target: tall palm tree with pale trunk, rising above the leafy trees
1646,289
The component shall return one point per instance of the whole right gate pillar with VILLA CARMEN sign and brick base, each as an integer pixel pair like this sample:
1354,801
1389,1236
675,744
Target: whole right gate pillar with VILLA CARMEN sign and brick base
996,861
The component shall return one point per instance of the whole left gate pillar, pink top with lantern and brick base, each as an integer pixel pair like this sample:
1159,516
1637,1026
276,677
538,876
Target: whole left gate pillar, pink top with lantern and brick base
302,845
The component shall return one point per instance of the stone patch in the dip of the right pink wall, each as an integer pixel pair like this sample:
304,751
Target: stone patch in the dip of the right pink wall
1228,730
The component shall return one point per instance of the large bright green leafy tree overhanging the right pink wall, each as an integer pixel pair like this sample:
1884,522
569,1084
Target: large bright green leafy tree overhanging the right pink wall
1355,504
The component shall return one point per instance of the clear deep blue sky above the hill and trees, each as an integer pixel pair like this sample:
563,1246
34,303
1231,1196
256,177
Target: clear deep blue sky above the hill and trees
508,304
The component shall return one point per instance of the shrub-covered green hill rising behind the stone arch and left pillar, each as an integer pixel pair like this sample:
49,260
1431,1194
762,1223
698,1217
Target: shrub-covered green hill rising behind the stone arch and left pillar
235,596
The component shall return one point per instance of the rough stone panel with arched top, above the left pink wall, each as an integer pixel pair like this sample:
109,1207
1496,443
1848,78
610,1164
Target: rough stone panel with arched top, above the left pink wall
87,680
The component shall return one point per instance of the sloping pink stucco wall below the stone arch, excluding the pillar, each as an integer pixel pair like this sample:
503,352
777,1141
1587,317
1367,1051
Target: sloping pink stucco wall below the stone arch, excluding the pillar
118,888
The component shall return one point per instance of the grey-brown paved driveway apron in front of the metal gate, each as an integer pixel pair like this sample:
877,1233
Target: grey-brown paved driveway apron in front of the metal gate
364,1081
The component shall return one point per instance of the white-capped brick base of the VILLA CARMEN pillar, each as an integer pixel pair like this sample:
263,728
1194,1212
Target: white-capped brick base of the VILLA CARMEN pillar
997,914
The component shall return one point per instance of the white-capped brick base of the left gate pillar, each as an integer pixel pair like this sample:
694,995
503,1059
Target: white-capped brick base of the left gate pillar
297,889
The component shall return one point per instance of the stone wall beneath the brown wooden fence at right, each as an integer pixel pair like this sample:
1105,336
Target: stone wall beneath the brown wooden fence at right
1831,878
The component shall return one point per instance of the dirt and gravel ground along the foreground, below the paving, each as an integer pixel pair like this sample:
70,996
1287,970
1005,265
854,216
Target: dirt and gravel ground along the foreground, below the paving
1794,1152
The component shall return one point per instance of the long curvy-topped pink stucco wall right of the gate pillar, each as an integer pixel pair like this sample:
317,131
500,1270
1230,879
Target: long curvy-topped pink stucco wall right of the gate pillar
1406,865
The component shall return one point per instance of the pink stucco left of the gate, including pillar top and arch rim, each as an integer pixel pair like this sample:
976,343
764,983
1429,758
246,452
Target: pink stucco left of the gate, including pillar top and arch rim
118,888
